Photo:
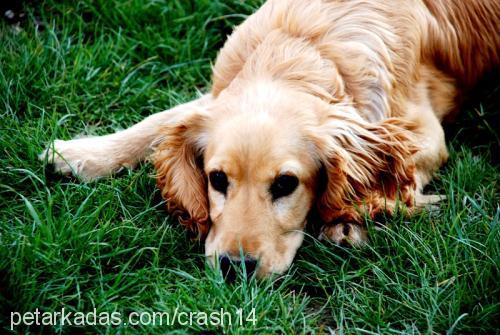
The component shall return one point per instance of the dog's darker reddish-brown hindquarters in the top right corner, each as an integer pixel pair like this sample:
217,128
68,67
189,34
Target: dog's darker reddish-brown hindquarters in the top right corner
464,37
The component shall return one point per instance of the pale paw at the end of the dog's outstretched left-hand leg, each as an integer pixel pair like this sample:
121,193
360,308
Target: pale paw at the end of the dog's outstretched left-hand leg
87,158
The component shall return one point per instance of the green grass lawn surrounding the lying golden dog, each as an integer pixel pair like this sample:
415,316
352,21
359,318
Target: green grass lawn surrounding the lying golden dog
99,66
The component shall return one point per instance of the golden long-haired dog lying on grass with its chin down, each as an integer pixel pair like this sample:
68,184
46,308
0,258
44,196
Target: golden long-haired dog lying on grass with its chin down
333,107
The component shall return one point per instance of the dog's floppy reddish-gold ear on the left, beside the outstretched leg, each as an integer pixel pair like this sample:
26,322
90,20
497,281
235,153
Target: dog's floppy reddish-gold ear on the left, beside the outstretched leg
178,160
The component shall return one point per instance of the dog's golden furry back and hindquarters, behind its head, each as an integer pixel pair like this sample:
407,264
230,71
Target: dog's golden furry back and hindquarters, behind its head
381,52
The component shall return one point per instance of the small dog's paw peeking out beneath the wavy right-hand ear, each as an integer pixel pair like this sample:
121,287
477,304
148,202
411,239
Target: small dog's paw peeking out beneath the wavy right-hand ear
344,234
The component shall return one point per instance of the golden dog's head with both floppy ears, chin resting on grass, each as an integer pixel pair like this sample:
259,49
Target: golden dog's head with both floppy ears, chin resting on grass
245,171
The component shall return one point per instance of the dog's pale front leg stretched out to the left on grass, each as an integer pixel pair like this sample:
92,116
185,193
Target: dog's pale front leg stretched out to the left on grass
94,157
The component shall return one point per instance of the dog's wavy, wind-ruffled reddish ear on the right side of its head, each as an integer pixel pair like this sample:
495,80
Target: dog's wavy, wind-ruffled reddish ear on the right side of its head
365,165
